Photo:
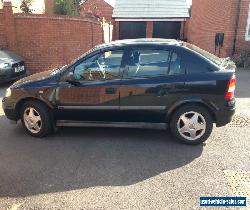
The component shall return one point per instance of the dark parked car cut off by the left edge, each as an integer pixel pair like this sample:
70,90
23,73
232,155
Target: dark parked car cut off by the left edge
11,66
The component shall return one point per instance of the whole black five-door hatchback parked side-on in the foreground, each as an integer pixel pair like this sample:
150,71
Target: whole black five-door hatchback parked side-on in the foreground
143,83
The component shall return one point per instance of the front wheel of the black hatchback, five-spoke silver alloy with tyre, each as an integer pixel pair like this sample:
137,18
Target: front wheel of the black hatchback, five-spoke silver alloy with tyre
36,118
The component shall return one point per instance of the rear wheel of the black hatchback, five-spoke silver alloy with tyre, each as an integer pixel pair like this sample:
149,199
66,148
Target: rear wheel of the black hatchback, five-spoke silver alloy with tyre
191,124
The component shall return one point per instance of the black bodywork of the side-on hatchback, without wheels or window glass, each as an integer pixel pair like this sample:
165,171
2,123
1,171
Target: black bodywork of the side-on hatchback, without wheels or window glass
125,98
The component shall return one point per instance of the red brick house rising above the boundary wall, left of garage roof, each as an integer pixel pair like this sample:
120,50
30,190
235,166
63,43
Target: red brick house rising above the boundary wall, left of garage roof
103,9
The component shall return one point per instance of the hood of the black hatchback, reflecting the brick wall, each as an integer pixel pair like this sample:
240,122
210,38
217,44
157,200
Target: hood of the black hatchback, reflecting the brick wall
33,78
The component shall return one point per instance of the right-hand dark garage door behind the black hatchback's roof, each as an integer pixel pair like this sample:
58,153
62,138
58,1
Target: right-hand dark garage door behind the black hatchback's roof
167,29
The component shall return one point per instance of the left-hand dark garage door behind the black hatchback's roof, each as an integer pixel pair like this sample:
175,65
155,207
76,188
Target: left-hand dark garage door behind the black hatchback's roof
132,29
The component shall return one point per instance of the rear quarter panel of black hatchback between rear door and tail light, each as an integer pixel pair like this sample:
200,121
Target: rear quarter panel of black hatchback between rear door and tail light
203,80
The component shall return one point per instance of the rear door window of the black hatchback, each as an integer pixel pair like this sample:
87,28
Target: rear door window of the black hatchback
150,63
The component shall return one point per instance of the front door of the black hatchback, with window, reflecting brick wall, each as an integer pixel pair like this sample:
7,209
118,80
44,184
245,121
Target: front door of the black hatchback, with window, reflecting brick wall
96,95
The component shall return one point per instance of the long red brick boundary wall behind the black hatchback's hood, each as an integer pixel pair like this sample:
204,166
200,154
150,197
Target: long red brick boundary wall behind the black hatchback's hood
47,42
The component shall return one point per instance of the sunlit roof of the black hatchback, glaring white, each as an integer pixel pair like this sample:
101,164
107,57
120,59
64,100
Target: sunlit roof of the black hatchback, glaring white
143,41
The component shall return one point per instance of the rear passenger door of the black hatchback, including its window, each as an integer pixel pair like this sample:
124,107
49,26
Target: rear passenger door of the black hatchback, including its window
153,78
